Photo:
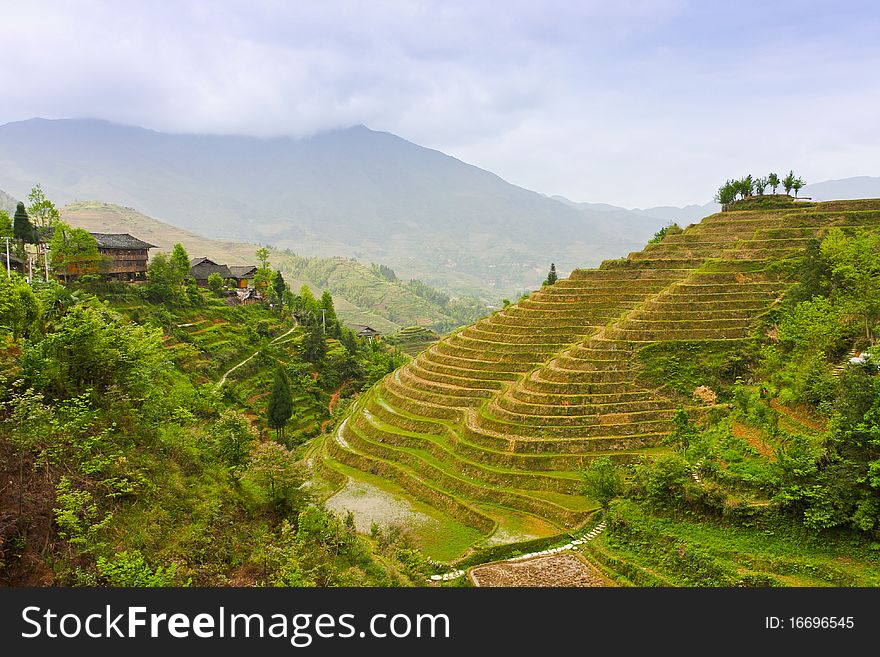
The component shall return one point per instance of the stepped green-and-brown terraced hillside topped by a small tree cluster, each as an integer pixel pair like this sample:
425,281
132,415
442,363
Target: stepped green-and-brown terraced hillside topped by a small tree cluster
497,420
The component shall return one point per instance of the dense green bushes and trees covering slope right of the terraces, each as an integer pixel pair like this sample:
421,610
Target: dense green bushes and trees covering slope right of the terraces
780,486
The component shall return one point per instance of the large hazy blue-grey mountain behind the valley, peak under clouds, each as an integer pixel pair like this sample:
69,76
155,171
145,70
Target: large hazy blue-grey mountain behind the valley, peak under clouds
353,192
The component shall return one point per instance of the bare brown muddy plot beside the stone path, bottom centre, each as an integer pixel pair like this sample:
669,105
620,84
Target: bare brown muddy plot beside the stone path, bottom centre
566,569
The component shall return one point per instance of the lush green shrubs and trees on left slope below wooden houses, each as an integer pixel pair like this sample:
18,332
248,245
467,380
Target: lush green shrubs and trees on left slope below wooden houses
130,465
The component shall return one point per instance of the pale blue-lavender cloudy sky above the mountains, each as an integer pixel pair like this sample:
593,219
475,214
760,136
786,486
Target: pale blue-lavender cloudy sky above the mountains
635,103
